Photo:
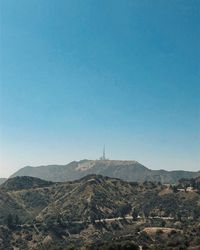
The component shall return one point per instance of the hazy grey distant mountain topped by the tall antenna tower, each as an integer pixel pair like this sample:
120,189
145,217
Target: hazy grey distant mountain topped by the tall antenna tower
126,170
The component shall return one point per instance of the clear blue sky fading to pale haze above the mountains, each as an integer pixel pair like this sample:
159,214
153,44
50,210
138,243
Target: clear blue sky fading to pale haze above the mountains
77,75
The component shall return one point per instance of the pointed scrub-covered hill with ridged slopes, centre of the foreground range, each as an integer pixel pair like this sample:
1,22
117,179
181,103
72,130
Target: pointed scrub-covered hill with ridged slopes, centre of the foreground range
98,197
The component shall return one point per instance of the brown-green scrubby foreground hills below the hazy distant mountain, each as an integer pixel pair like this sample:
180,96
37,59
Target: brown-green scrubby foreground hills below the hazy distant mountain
97,212
